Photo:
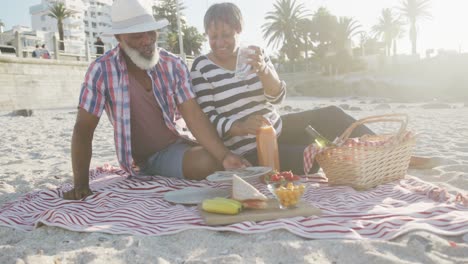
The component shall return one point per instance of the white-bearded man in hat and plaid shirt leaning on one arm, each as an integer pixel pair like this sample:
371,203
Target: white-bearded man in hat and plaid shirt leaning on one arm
145,91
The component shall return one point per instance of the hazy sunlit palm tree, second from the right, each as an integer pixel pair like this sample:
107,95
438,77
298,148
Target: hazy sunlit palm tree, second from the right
388,29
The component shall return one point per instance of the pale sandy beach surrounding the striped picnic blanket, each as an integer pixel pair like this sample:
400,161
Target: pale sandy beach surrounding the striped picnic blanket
36,156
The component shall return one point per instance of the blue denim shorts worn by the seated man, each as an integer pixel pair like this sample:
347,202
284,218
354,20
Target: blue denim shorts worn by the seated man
167,162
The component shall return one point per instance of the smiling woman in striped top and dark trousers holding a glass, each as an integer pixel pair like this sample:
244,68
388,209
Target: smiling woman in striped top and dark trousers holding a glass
238,107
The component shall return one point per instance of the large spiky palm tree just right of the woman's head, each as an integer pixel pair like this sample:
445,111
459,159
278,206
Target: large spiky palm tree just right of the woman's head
281,27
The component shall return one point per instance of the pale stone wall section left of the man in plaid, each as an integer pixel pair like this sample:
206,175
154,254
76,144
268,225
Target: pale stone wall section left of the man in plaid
39,84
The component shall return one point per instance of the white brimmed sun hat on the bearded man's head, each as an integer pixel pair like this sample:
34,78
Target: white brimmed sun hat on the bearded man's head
133,16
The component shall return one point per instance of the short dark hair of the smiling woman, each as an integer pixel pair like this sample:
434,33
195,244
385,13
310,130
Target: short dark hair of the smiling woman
227,13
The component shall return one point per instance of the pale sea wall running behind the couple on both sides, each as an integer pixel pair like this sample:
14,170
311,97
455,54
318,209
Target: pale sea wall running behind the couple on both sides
27,83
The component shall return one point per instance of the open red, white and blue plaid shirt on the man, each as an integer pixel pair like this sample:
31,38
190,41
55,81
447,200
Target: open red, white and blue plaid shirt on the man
106,87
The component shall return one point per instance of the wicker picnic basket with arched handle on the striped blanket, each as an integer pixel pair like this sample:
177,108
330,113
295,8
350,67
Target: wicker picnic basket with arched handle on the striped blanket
373,160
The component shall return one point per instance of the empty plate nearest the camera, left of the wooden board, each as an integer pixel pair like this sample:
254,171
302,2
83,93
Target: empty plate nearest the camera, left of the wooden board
195,195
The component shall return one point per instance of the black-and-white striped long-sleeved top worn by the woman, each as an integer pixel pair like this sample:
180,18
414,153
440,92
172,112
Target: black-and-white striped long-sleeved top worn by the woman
226,99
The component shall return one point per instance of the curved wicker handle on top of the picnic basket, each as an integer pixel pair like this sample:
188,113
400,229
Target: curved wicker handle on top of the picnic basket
400,118
